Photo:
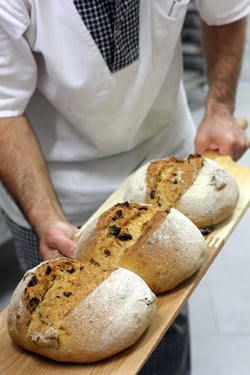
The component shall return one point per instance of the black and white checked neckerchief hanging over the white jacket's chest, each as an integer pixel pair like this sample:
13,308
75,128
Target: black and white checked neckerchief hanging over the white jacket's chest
114,26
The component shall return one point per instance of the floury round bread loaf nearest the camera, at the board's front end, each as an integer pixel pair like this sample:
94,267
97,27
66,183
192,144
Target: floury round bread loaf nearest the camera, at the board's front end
72,312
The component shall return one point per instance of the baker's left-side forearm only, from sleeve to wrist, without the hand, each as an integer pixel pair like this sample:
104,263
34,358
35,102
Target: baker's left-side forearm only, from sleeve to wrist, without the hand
24,173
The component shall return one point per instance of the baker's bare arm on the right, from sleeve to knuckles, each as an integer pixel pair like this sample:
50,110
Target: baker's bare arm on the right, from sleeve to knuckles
223,48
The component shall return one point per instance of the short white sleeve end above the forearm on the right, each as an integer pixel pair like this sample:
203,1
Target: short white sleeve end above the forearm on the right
220,12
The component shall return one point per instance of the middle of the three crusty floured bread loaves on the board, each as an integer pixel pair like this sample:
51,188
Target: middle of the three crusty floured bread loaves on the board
163,247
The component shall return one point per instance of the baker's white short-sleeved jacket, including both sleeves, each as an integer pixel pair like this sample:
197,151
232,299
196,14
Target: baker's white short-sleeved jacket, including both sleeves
95,127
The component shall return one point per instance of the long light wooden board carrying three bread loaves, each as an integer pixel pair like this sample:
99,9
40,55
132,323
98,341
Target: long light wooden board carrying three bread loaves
14,360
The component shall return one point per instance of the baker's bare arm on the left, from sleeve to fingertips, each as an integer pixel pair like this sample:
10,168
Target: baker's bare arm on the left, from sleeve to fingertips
24,173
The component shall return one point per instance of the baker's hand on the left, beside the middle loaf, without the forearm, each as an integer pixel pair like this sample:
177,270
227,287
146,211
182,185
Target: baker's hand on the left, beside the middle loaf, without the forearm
57,239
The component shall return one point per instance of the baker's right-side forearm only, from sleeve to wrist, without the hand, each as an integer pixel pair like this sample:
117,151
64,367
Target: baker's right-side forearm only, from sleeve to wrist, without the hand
223,48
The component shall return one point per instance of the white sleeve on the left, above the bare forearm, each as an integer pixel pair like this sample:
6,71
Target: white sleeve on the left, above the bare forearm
18,71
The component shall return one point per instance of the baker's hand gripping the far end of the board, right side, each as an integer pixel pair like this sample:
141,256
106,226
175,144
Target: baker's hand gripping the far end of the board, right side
222,133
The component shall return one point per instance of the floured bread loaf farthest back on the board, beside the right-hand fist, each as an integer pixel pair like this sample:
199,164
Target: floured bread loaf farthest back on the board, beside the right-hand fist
198,187
